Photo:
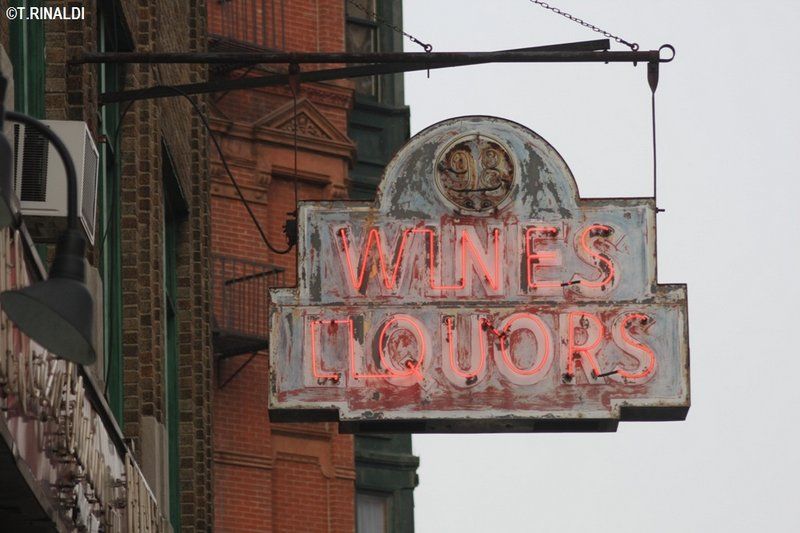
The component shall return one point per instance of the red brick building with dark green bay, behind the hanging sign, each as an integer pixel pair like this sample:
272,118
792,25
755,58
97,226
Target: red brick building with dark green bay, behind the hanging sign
330,142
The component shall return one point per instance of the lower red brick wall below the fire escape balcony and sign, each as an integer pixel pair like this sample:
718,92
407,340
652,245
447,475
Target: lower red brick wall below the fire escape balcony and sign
282,478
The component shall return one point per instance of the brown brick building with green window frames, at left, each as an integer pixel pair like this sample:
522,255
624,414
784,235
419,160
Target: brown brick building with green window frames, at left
150,261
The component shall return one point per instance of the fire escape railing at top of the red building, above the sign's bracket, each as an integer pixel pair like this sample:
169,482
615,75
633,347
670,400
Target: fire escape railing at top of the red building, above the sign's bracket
258,23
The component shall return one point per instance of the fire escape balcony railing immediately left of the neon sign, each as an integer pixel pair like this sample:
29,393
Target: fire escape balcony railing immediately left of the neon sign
241,296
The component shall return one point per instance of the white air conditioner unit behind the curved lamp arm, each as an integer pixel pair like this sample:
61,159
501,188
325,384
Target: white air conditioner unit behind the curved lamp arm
40,179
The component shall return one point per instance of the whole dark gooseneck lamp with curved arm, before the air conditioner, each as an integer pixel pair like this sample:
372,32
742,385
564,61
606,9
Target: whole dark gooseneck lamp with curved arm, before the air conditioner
56,312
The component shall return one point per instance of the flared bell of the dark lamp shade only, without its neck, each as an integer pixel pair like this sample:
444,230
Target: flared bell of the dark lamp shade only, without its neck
57,314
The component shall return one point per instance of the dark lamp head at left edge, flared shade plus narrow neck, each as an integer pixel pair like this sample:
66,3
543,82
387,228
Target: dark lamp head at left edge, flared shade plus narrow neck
57,312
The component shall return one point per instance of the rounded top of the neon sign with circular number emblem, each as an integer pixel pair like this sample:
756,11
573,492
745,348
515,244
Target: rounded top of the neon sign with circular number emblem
477,166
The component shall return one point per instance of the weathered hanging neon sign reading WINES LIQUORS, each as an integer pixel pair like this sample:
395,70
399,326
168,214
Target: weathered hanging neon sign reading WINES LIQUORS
479,293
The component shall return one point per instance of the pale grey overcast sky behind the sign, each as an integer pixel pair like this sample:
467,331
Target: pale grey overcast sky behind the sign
729,153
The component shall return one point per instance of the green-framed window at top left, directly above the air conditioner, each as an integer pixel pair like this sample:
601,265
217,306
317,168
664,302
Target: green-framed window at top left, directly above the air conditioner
27,56
